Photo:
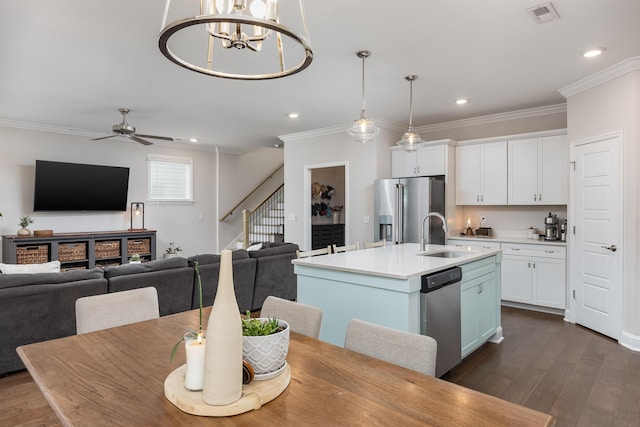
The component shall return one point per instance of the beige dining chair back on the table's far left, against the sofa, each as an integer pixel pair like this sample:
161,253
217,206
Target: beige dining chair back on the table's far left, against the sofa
116,309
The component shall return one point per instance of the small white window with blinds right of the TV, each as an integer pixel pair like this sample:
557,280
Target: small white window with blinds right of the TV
170,178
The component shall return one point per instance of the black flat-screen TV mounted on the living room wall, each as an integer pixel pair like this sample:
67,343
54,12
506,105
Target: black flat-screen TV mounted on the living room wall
63,186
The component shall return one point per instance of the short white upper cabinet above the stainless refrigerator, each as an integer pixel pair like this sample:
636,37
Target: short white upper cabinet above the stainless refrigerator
427,161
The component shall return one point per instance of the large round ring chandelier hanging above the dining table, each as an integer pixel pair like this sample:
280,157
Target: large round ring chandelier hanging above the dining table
237,39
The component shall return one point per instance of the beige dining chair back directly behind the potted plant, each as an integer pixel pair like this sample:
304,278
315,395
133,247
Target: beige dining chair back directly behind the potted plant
303,319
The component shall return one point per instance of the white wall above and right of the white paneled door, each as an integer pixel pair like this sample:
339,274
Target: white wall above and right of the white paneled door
613,106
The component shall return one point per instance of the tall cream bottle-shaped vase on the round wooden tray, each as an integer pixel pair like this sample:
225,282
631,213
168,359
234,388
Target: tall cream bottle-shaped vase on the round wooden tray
223,349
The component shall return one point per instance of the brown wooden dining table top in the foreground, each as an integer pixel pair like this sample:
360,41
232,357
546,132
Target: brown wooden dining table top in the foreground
115,377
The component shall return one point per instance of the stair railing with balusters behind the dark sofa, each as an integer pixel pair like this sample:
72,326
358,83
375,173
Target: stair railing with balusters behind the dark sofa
260,221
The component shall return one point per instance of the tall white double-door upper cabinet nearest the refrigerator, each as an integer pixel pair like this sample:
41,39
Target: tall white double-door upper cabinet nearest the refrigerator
481,174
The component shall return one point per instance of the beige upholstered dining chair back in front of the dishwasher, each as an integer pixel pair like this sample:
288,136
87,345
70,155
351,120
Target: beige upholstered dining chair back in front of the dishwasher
409,350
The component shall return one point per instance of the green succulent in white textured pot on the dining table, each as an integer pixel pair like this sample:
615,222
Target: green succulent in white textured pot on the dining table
265,344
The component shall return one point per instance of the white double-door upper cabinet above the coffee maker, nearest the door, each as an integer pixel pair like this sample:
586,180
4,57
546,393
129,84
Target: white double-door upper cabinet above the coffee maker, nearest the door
538,170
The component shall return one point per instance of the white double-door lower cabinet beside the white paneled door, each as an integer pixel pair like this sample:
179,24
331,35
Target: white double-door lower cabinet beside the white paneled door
534,274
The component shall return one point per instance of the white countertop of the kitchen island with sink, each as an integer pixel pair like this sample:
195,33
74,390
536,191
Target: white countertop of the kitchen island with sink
394,261
